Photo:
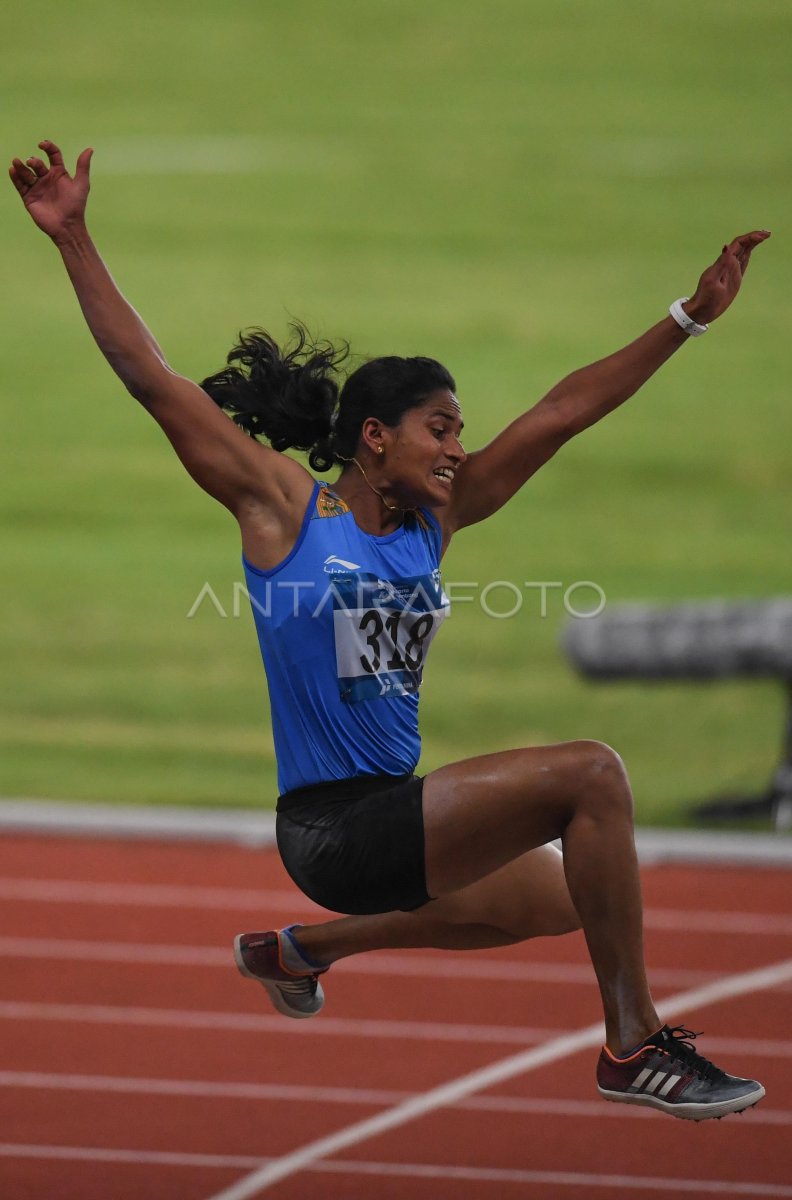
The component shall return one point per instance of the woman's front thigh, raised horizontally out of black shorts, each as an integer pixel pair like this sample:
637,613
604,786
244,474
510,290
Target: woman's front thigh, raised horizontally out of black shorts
483,813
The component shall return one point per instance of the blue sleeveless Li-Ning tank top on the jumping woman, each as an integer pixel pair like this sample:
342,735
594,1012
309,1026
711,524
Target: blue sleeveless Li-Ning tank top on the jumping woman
345,623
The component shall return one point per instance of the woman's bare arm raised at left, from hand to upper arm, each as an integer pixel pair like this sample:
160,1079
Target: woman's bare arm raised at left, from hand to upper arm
226,463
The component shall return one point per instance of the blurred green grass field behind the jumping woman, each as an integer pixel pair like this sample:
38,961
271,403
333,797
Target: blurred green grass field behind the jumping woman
512,188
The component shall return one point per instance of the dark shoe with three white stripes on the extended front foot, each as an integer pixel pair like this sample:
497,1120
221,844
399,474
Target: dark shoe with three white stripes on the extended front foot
667,1073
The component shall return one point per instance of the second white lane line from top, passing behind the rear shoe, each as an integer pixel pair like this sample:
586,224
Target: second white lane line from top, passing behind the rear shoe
407,965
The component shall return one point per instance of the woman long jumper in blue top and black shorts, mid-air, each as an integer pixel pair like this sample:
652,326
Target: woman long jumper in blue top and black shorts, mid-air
347,596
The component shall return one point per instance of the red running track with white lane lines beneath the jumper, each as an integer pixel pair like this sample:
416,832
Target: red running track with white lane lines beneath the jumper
139,1064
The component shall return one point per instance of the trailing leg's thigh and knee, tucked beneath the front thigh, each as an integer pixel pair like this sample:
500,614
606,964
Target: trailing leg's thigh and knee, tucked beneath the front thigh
527,898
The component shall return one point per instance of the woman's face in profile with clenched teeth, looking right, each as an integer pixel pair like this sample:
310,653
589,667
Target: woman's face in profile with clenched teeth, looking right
427,451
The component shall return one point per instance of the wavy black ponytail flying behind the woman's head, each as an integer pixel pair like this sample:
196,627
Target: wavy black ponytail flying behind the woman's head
286,395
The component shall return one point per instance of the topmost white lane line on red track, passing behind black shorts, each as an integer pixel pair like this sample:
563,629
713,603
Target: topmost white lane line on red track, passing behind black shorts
250,901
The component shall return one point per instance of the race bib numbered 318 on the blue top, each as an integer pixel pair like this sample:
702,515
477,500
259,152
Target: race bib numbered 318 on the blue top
383,629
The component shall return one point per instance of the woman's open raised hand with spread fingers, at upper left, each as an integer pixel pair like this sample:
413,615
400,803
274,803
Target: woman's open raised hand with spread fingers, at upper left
55,200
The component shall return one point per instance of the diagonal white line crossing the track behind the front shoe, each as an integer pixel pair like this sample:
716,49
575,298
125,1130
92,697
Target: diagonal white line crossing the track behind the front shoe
487,1077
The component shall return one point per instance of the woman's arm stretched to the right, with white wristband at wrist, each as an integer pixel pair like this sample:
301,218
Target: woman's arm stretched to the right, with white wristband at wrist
491,477
